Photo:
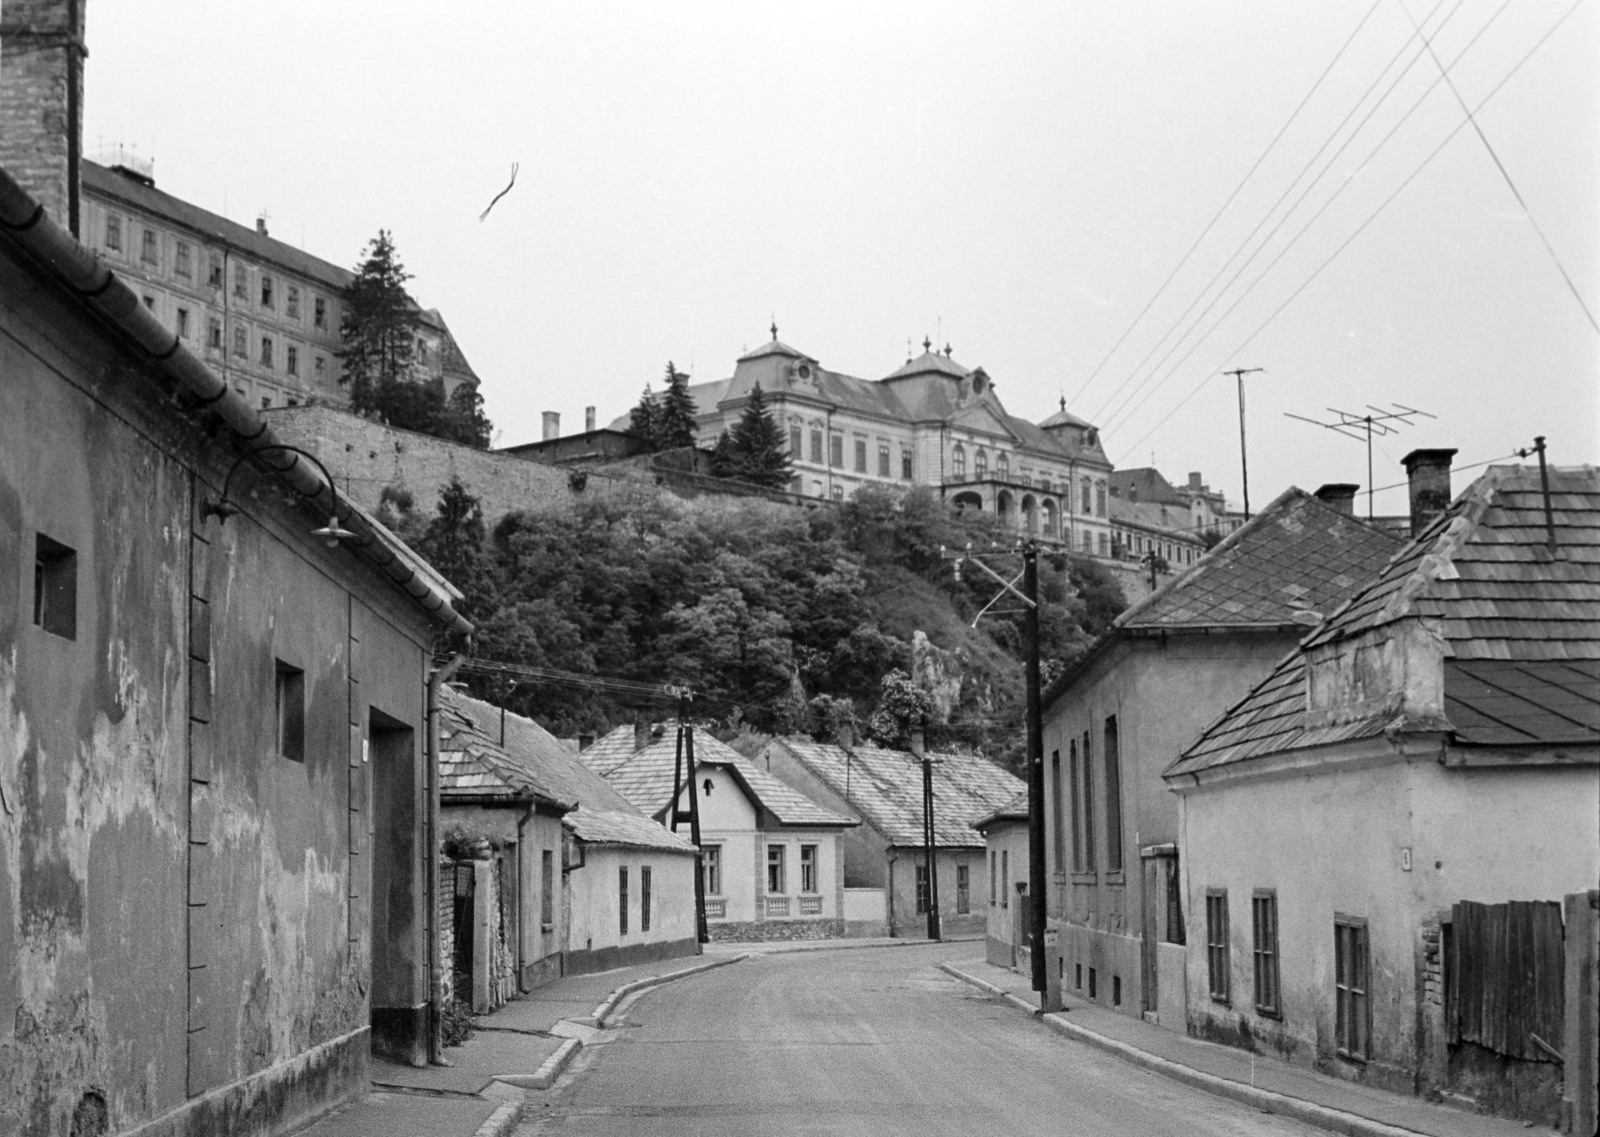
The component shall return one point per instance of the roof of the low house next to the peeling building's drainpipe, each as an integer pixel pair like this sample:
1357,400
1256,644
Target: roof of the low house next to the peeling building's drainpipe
532,759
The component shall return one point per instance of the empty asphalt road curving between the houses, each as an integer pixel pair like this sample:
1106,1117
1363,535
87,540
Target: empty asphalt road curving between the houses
862,1042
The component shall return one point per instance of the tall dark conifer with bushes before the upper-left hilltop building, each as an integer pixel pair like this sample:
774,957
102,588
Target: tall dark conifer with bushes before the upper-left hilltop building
378,357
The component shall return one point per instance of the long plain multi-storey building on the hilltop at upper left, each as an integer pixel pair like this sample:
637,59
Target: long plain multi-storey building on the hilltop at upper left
263,314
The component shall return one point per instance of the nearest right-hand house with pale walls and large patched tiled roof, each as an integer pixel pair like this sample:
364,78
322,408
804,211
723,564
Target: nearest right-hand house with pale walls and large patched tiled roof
1382,834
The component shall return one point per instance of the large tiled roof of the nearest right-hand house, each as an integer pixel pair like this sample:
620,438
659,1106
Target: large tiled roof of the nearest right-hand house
1522,632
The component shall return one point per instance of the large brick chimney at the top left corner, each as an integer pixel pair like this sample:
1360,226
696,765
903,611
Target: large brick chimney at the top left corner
42,102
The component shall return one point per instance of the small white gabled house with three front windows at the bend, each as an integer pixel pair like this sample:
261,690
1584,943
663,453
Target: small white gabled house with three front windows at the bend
772,858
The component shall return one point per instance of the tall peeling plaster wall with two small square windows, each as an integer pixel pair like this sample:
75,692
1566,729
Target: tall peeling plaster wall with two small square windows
183,911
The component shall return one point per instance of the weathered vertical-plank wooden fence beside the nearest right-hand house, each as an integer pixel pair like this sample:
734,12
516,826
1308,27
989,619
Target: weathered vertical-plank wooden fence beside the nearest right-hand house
1505,978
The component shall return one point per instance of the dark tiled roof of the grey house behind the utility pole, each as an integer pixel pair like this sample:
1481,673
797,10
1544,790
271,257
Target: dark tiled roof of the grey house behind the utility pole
1297,554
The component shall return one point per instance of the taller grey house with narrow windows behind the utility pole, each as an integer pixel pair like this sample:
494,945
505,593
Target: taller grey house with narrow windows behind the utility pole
1119,716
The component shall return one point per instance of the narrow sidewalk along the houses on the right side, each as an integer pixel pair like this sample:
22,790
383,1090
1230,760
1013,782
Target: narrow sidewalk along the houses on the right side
1265,1083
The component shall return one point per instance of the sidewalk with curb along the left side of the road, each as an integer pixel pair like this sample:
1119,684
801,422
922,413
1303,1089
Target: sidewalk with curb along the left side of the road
524,1045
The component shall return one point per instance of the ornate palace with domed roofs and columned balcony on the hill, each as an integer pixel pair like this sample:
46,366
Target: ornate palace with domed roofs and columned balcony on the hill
932,423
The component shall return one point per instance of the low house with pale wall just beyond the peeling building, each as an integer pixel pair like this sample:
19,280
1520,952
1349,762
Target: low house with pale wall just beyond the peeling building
586,880
